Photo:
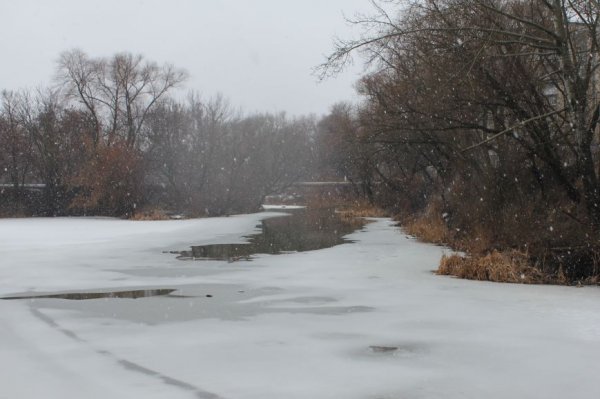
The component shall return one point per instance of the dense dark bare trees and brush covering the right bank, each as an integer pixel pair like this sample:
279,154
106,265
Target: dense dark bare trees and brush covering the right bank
481,116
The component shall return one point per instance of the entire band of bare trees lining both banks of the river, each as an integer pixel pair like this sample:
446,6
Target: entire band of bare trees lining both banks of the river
478,118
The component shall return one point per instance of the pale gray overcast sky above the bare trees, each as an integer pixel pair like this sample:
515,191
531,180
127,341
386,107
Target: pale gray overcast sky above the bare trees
258,53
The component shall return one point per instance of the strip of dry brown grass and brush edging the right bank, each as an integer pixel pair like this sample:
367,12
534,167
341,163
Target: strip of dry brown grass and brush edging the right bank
486,262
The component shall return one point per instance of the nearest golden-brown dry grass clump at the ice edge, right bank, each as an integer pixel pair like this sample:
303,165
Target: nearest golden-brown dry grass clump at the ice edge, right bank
506,267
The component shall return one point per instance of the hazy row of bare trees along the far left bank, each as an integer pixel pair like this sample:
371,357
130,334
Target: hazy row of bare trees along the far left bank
109,138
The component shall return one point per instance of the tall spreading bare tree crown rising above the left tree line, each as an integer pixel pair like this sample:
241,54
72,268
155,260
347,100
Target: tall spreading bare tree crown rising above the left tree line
117,92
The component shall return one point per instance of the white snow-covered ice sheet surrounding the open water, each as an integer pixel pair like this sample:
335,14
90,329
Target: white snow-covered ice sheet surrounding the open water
360,320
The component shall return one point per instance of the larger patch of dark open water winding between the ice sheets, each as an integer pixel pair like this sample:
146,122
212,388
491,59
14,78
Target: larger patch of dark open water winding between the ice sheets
301,230
